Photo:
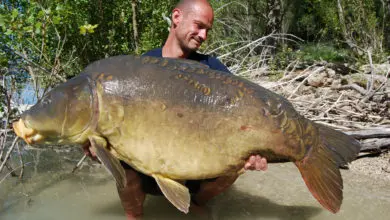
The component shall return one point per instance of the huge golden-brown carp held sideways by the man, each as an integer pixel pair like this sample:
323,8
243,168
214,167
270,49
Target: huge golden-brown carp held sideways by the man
176,120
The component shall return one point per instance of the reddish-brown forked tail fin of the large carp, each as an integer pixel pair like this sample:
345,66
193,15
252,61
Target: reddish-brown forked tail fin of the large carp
320,166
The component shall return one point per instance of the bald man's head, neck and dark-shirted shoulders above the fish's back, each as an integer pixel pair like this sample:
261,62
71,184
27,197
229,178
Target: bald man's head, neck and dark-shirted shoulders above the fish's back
191,21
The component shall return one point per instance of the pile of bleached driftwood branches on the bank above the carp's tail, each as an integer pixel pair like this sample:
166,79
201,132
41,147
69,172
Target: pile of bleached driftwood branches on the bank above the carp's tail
336,99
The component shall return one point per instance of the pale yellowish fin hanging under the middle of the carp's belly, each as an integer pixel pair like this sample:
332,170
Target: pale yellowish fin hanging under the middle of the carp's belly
175,192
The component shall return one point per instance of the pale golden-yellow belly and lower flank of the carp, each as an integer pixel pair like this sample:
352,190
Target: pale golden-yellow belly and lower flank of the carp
187,143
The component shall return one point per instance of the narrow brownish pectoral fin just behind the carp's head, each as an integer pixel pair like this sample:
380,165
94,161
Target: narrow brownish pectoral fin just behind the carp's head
111,163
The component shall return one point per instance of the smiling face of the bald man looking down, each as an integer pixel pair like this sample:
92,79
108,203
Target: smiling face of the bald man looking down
193,28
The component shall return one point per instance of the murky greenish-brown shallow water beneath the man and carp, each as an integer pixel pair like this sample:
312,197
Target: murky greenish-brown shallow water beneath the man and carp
50,192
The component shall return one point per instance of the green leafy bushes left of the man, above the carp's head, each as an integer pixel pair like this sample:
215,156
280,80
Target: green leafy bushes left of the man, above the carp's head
55,40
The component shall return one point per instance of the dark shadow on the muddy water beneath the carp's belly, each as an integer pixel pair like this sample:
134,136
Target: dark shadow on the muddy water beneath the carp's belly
234,204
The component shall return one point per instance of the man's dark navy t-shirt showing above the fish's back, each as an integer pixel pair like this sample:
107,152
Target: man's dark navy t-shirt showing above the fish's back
208,60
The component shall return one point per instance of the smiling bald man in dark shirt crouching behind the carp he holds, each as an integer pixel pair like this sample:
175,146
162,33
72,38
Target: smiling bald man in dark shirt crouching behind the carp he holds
191,21
